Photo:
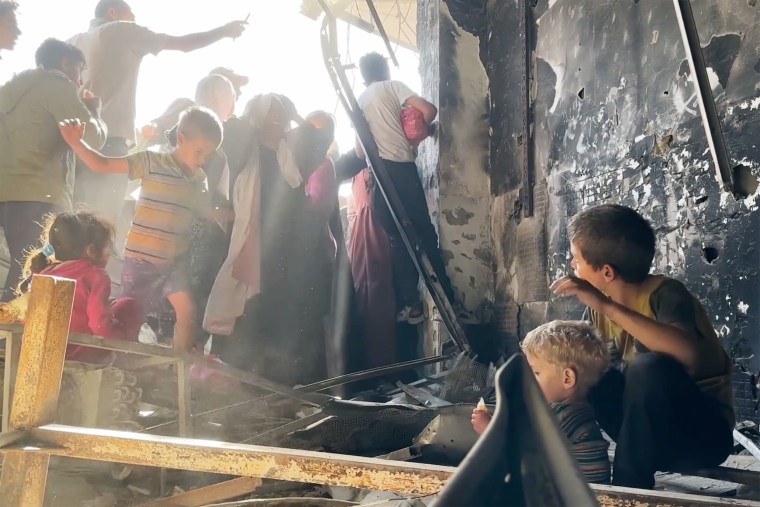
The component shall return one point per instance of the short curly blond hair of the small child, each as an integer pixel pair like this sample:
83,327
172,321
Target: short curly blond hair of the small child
570,344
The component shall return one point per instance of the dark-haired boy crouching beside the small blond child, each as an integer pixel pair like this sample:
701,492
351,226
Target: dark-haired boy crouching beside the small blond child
670,408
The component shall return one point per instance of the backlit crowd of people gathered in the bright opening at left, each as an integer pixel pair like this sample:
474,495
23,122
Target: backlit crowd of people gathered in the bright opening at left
236,232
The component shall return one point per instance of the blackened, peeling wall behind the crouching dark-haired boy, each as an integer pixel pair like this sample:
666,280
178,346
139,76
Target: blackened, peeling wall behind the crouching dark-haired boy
613,118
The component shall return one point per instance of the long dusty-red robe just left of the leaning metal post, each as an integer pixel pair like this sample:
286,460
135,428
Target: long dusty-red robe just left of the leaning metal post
370,253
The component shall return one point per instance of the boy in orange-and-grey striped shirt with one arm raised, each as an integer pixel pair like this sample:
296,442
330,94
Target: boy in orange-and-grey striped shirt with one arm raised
174,190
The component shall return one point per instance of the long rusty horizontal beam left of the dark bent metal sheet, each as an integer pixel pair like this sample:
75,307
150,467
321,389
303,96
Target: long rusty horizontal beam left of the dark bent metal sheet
241,460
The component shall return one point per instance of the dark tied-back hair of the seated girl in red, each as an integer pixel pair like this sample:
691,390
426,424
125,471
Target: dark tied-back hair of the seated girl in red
70,234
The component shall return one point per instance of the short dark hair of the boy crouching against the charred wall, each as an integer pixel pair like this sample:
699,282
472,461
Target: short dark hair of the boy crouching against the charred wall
615,235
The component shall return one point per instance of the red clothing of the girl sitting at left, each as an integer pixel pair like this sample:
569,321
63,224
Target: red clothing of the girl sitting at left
92,313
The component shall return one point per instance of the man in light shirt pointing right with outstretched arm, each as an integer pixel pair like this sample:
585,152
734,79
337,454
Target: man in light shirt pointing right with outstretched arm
114,47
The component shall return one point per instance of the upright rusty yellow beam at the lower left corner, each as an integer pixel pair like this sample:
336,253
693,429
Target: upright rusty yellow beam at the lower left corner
38,382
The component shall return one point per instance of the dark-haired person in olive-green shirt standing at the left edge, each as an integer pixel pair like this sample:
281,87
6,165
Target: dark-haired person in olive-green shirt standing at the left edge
36,166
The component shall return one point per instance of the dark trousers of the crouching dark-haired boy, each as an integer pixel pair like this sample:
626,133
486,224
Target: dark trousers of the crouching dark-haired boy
660,421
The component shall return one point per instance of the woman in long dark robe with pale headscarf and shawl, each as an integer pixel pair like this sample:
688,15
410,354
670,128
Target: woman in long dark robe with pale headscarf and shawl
259,310
